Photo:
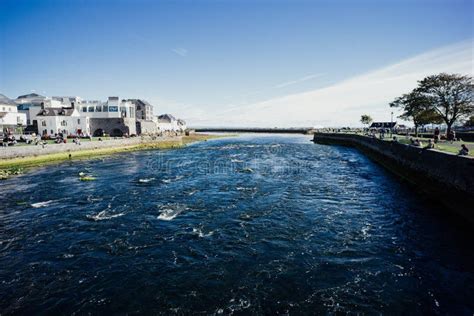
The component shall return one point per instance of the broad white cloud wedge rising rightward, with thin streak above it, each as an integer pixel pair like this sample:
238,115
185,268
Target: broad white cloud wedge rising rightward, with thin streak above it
343,103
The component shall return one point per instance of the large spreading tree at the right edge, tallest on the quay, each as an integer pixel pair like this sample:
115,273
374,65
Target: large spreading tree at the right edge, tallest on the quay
450,95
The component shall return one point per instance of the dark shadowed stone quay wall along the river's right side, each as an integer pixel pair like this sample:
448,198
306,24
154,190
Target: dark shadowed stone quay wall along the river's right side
445,177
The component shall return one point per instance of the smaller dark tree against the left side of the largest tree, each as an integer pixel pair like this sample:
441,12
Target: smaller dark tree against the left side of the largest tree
416,107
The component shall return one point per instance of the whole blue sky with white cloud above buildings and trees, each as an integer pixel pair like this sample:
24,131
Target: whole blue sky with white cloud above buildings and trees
279,63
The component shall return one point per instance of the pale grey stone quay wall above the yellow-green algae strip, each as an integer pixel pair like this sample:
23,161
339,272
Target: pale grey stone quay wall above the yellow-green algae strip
36,150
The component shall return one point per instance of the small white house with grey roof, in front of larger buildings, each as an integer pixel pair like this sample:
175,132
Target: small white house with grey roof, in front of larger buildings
67,121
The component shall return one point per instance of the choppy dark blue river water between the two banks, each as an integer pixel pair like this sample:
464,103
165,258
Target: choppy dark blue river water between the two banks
250,224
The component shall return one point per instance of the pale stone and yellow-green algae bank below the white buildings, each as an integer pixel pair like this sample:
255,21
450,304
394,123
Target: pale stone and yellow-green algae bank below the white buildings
14,159
